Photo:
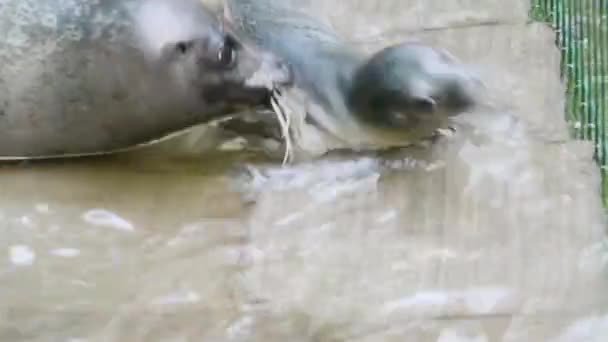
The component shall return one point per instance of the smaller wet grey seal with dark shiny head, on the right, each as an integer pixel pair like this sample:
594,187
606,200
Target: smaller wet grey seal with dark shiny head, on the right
344,98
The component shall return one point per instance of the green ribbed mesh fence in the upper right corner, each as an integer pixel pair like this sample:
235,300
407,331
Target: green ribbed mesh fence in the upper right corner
582,35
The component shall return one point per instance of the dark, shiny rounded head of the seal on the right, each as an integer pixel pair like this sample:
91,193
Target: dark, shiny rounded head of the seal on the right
410,85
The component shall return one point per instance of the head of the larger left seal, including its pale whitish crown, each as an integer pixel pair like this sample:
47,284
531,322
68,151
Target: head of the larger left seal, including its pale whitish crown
203,56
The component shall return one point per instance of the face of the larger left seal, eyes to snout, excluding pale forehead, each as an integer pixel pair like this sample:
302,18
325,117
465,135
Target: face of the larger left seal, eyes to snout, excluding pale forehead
223,71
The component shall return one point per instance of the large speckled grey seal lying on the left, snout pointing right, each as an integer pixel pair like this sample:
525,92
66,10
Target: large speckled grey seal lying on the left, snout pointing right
88,77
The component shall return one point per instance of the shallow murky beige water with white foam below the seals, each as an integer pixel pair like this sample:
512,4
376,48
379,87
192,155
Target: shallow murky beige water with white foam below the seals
484,237
